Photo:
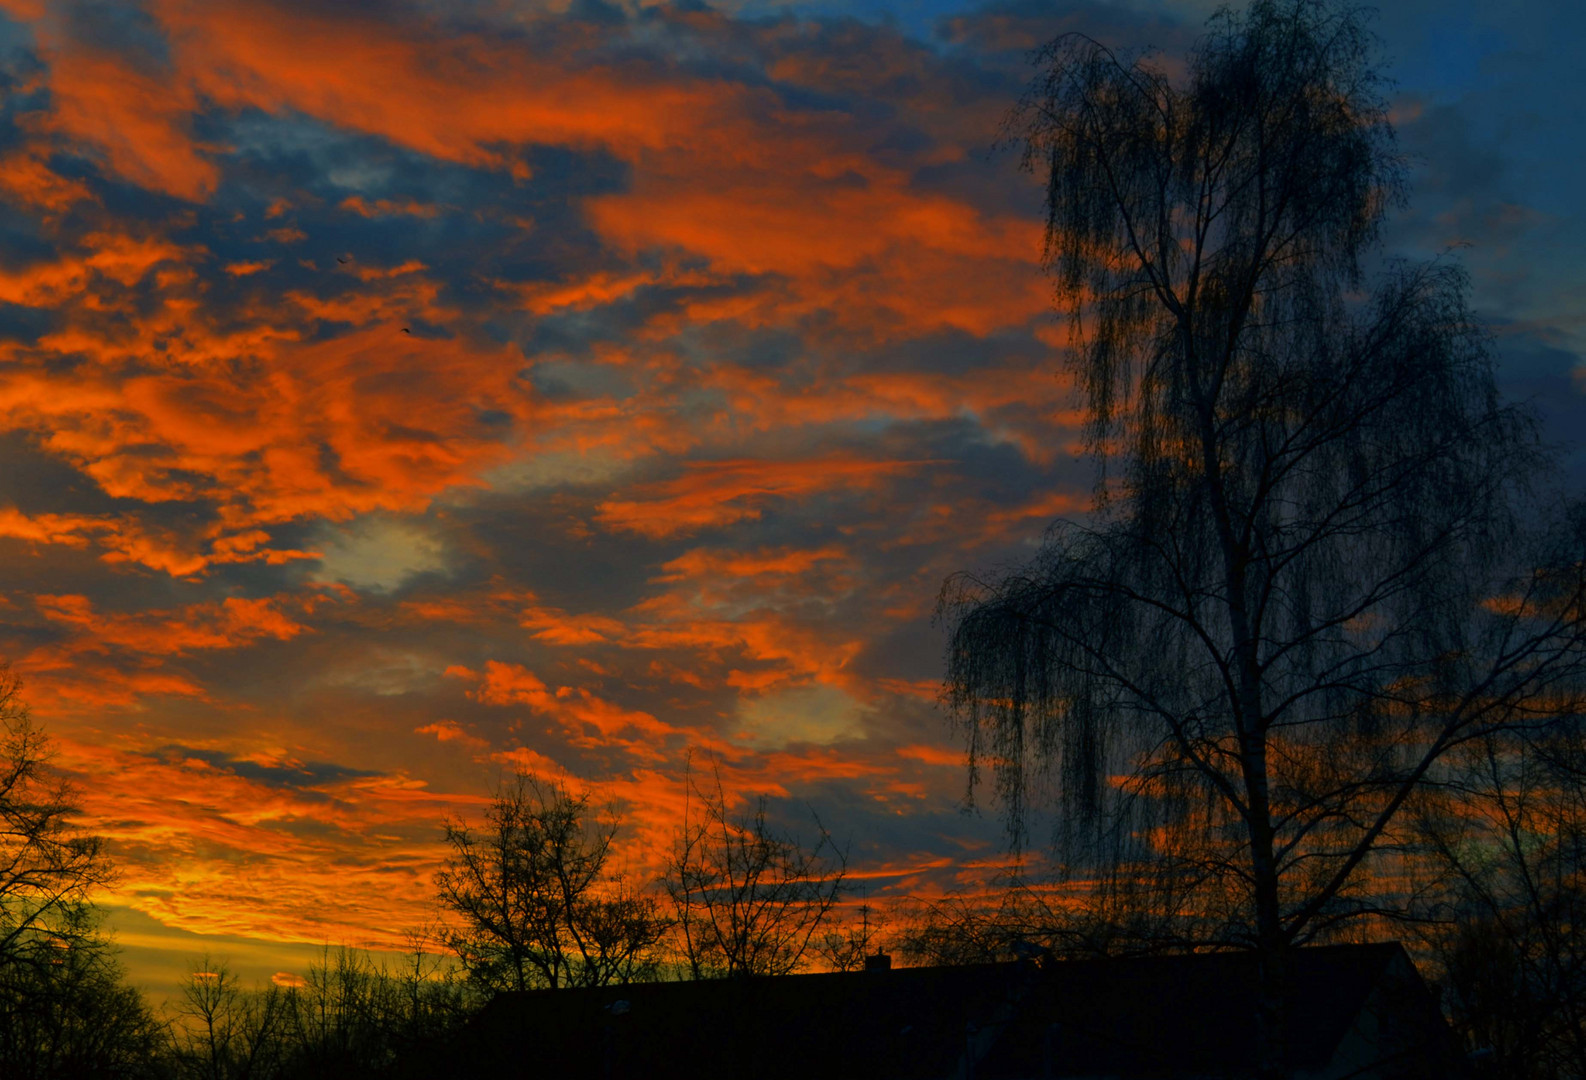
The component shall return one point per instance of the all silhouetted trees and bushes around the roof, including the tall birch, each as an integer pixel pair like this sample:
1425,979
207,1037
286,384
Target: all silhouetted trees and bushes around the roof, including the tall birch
1314,668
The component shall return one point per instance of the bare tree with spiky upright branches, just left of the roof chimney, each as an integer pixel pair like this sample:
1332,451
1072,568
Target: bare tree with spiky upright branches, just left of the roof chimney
749,900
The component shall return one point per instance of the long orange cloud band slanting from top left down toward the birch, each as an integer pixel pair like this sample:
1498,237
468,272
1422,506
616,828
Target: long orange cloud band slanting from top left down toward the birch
794,194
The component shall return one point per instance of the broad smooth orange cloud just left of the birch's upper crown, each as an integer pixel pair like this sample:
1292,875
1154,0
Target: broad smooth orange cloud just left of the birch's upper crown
865,251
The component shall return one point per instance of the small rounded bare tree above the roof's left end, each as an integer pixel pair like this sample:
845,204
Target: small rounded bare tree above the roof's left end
537,900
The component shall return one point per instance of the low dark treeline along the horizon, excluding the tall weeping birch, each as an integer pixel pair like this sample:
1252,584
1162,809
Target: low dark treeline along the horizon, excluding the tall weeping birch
531,898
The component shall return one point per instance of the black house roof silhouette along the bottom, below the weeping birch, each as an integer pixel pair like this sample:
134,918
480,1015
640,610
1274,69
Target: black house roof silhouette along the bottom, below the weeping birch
1362,1013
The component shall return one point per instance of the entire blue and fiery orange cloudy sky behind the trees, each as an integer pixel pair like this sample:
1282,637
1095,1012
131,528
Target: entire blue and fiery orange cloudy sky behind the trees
400,394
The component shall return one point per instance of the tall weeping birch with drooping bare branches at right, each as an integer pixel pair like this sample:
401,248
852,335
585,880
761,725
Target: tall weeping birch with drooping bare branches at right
1311,573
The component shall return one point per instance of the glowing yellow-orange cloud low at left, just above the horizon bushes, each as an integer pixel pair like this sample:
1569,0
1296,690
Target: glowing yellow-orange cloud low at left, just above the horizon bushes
210,849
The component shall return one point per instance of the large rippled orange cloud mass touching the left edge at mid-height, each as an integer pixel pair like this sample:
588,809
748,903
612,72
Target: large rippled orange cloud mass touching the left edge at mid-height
369,421
